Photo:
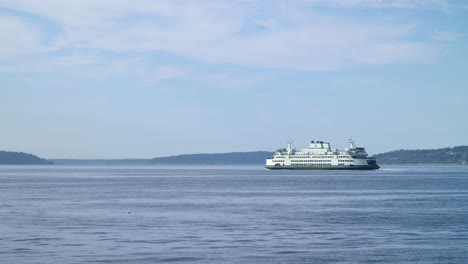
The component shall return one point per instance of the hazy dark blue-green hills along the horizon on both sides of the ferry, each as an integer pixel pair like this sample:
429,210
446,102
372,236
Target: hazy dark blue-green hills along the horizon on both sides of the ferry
452,155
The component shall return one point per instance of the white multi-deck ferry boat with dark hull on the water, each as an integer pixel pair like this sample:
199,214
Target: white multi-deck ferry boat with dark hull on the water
320,156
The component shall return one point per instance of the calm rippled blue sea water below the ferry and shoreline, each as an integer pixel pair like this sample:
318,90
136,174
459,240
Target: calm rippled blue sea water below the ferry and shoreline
138,214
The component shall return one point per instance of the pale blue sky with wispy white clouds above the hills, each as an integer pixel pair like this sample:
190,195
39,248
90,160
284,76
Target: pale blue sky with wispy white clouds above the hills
142,79
